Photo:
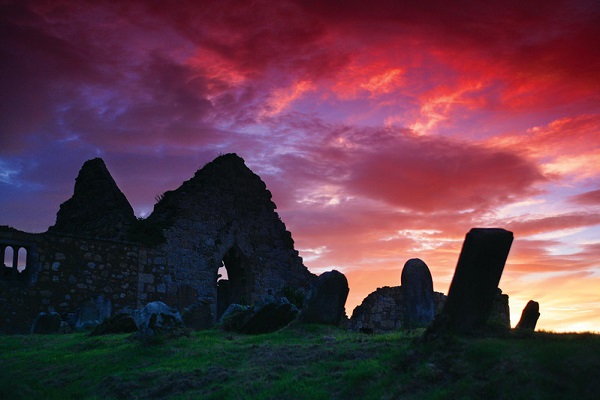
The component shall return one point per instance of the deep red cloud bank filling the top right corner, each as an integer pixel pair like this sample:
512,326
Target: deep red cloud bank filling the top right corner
542,37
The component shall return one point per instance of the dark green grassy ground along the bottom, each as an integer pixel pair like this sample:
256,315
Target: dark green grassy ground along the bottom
300,362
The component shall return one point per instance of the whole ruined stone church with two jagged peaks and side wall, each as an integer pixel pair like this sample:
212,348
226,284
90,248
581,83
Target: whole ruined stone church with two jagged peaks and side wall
98,249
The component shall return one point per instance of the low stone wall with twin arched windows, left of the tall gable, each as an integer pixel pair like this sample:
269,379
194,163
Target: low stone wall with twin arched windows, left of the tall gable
63,272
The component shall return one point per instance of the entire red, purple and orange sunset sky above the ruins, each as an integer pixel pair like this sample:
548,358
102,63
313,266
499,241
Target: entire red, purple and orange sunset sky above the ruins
385,130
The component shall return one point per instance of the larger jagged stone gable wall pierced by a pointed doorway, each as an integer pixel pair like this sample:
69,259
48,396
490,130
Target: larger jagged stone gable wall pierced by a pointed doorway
224,216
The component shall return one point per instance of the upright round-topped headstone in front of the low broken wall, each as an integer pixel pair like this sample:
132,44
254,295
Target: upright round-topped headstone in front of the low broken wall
417,286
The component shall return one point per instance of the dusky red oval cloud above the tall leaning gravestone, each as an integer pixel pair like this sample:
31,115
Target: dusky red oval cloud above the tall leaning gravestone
426,174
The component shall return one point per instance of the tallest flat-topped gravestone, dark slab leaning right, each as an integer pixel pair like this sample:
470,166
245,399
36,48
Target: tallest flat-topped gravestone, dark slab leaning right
475,282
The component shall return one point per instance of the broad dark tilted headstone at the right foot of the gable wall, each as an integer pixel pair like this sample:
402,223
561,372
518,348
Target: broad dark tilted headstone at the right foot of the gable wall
326,301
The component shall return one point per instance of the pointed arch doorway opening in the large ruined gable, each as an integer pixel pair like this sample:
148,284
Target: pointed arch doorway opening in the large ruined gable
238,286
